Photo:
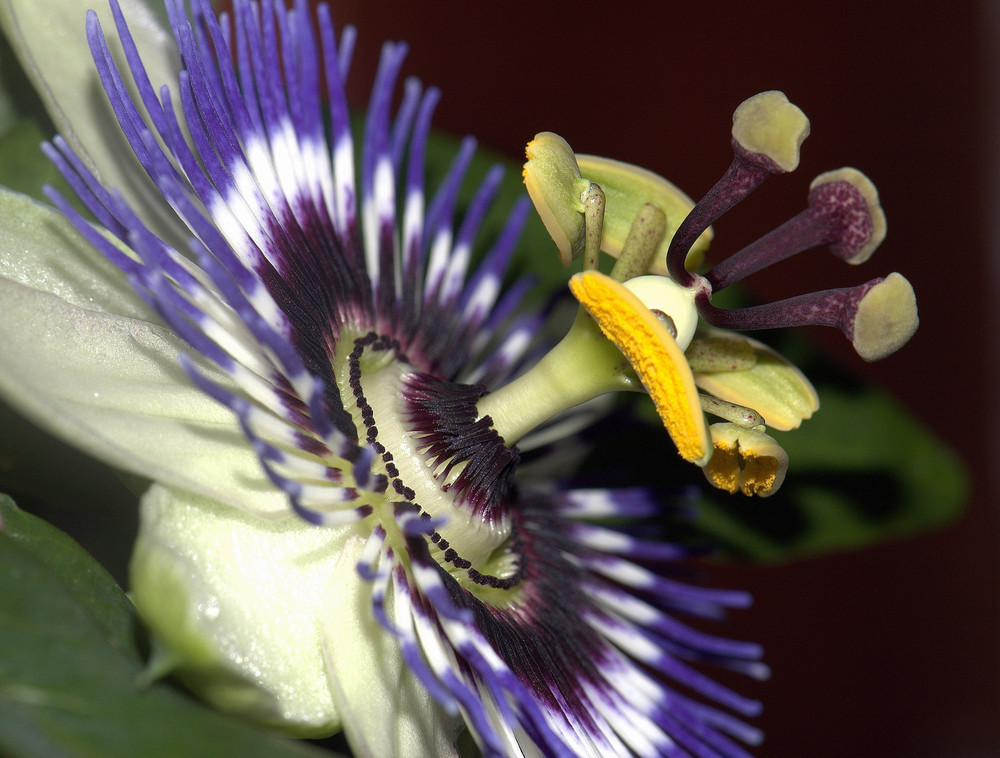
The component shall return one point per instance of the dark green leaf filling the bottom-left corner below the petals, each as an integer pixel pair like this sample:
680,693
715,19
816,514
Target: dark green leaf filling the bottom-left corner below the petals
71,661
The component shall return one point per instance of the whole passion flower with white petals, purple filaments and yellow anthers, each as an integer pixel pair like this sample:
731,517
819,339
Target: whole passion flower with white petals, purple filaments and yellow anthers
333,401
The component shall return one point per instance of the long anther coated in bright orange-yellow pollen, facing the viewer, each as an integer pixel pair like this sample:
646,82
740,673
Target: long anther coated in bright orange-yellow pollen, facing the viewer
653,355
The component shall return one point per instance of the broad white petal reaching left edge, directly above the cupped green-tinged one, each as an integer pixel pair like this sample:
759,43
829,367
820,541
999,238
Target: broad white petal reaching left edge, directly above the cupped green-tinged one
112,386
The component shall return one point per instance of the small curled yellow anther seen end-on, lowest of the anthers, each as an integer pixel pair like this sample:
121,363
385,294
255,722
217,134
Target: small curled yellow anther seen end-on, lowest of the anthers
747,460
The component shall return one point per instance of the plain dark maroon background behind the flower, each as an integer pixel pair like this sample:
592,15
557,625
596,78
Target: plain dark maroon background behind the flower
887,651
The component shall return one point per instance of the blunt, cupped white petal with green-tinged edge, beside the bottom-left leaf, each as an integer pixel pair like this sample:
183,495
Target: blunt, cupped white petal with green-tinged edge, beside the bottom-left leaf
238,600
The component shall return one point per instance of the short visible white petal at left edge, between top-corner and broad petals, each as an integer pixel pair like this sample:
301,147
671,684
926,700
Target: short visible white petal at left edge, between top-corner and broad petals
40,249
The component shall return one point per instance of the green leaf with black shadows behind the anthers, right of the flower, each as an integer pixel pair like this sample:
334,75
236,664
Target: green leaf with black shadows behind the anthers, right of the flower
862,471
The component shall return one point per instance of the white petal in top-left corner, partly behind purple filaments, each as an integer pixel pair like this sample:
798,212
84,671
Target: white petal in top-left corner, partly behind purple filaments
50,39
